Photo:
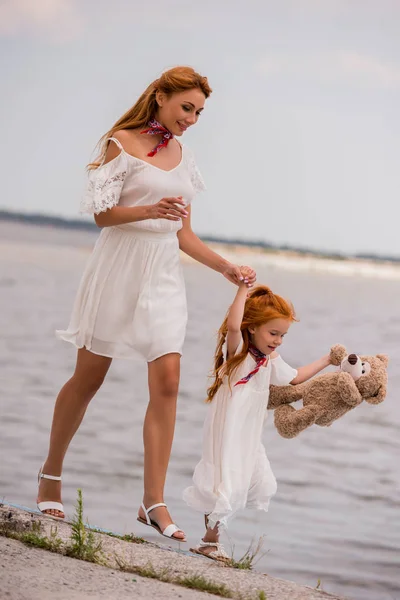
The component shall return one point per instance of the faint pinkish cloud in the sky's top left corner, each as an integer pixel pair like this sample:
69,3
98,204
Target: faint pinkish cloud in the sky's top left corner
57,20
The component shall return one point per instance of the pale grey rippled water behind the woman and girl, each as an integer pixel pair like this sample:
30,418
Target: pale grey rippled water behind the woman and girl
336,514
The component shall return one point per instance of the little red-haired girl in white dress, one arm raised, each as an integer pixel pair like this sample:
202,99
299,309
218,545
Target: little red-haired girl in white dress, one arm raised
234,471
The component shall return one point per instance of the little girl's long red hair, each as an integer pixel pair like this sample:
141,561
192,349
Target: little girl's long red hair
261,306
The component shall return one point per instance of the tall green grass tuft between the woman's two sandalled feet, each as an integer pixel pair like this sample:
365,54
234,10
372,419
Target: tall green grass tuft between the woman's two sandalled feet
83,542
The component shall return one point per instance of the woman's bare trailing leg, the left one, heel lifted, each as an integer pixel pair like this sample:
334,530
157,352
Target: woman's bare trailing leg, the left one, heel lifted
71,405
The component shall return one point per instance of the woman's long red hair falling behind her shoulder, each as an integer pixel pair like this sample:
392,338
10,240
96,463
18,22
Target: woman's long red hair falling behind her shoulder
175,80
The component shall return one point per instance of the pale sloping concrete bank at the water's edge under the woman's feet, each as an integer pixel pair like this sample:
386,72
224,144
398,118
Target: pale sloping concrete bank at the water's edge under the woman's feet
29,573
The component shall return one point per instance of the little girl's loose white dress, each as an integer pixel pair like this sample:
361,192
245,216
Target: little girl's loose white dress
234,471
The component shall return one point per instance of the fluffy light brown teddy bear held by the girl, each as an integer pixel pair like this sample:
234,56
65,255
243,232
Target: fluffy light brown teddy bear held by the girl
328,397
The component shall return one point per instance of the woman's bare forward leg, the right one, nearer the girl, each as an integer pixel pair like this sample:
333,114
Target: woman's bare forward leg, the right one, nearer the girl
158,433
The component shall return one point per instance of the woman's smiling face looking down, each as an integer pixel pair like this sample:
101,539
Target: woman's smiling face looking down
181,110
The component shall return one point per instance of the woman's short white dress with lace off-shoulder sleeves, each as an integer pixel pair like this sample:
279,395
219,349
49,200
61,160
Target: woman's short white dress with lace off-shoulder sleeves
131,300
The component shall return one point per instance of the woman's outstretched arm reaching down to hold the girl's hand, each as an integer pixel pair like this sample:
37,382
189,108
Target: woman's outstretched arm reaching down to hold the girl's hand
194,247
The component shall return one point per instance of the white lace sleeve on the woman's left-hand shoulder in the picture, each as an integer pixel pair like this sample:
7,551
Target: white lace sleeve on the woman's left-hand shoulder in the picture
104,186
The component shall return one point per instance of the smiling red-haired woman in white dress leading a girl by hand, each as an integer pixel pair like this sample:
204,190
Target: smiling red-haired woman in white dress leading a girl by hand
131,298
